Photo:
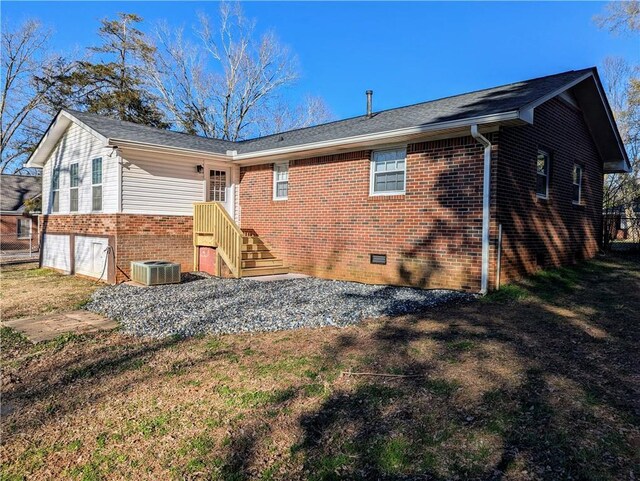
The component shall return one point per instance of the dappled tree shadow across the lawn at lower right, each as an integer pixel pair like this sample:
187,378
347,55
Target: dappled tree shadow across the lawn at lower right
570,411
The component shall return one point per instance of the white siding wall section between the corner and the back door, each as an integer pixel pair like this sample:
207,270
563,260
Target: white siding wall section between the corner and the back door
153,185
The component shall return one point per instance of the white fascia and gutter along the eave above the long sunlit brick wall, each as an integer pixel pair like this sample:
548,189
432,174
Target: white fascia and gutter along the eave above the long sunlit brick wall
386,135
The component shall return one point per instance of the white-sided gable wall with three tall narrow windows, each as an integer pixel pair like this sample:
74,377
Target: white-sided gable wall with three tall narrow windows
80,146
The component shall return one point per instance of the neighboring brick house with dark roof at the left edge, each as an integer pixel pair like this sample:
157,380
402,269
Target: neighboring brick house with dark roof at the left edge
18,228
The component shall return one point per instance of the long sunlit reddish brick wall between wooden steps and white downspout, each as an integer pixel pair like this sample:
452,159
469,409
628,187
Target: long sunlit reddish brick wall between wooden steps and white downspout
330,224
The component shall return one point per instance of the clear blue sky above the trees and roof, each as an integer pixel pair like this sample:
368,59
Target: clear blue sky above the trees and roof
406,52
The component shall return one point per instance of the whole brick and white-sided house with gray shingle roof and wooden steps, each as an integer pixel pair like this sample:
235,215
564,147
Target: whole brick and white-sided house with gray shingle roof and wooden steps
416,195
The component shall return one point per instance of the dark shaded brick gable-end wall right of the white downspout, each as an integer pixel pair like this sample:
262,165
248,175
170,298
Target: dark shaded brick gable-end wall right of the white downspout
541,233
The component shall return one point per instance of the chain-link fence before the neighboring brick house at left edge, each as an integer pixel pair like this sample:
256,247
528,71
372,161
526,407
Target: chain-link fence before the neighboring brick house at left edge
19,238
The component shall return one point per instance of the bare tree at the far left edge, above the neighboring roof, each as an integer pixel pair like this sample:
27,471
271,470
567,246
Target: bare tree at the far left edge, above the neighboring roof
28,70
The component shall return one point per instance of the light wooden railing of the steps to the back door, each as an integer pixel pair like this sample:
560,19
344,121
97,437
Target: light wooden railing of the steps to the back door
211,218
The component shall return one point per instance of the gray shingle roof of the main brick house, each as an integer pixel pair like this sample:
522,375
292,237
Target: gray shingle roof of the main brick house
505,98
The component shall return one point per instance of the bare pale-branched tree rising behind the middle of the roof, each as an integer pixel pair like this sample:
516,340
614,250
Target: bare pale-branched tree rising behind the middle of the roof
228,84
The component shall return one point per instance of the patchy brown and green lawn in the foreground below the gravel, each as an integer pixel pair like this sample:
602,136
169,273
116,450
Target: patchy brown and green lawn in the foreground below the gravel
538,381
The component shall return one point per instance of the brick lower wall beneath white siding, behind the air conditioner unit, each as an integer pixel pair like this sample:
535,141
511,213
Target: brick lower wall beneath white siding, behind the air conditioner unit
137,237
